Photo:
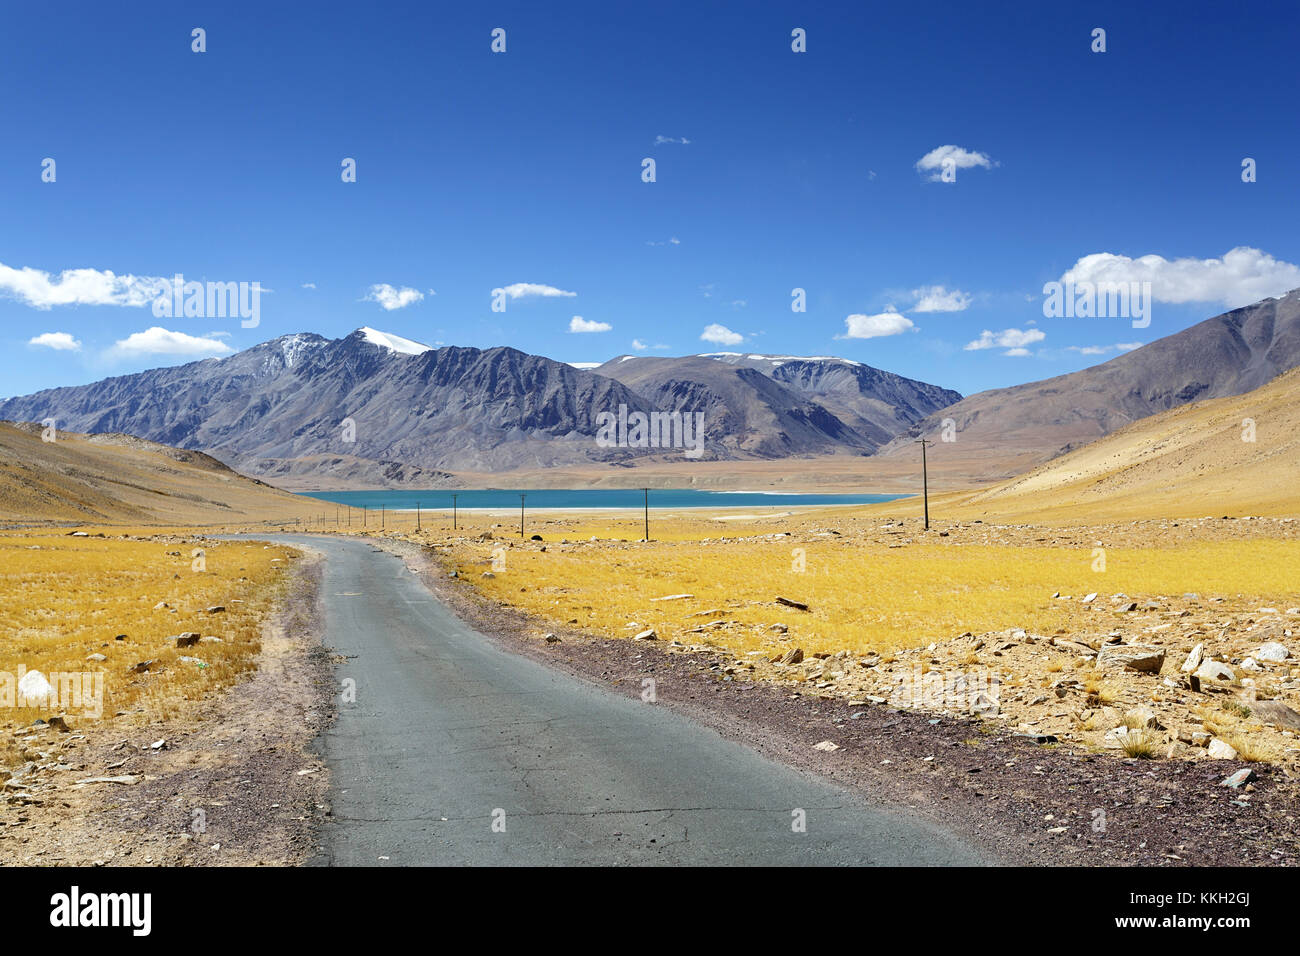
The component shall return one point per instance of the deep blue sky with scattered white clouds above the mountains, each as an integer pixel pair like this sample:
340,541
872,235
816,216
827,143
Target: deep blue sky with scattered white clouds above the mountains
480,171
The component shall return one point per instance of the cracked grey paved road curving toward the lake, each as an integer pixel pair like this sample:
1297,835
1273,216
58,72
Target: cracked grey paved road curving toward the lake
452,736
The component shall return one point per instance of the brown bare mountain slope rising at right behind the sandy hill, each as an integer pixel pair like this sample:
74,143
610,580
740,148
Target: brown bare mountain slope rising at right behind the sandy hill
1227,356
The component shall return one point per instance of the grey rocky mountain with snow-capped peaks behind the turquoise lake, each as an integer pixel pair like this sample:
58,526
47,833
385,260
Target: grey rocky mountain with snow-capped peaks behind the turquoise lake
375,409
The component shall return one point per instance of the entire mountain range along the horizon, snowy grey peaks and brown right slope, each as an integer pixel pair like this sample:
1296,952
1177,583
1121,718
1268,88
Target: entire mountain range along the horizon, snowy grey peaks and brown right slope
380,410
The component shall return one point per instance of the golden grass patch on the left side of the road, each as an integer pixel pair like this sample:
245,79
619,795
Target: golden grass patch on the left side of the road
64,599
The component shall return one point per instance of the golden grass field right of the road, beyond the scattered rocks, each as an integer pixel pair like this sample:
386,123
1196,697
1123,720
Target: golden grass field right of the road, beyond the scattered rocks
863,596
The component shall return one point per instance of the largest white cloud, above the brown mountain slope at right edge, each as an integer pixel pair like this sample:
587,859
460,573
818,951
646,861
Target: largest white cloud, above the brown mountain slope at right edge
1238,279
